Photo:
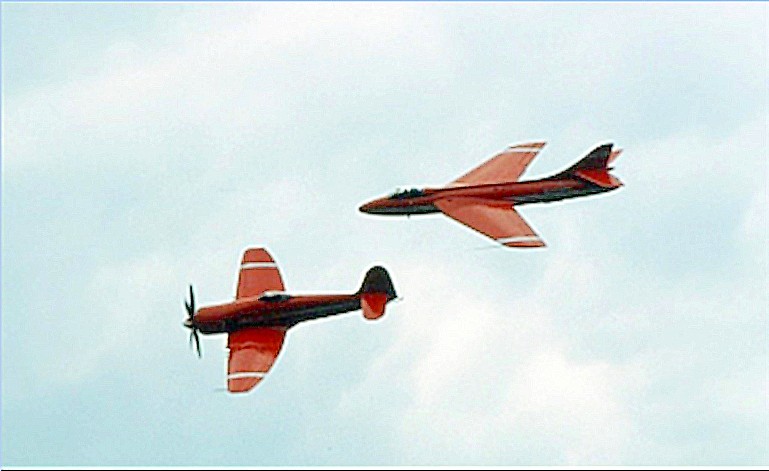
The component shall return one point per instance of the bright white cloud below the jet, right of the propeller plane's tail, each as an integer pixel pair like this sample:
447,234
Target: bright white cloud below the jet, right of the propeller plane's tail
485,374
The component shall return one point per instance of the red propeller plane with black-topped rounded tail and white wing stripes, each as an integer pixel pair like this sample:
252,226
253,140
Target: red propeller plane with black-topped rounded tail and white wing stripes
262,312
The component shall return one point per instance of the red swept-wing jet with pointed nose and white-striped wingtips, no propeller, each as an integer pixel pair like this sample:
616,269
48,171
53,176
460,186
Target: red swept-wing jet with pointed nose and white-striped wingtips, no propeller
485,198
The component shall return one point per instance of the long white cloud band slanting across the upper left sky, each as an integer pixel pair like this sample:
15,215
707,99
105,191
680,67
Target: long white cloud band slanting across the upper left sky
237,76
